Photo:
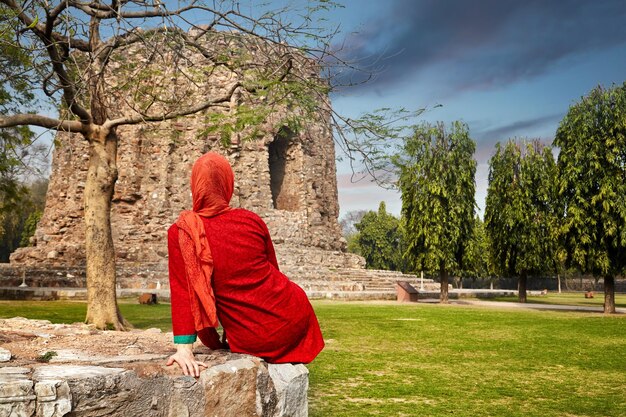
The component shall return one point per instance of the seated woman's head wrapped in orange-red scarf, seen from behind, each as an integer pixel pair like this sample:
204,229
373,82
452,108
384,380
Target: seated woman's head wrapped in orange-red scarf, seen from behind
212,183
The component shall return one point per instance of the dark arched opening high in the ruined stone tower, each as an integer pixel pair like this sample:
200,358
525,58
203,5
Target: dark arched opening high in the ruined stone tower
284,163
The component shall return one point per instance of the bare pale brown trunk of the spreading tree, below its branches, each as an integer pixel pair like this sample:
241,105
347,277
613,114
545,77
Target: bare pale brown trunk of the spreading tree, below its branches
102,309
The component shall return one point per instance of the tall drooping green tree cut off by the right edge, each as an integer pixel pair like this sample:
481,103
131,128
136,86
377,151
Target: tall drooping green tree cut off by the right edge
592,185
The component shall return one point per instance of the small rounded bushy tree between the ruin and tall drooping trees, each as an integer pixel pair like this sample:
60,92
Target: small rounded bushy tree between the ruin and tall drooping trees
379,239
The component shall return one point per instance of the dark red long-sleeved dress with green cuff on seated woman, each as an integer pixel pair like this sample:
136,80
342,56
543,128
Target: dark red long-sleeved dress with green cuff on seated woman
262,312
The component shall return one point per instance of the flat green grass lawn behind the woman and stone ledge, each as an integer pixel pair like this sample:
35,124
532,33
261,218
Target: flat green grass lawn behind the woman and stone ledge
386,359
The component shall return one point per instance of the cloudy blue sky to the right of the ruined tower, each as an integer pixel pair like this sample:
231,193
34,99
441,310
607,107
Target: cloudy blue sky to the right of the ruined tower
509,69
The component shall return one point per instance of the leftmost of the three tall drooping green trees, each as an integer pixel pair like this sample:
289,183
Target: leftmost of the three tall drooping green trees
436,179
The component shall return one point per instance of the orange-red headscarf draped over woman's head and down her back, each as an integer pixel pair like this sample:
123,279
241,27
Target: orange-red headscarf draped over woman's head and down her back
212,183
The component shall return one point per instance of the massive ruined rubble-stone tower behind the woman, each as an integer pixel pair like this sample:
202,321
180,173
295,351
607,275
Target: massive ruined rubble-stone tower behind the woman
287,177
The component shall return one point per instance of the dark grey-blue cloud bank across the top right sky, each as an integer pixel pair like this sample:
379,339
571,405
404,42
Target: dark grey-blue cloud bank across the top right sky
481,44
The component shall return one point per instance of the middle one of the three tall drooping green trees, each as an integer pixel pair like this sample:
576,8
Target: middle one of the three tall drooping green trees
520,212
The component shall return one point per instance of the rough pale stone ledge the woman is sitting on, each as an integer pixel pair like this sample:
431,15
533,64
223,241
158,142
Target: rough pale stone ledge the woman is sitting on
89,379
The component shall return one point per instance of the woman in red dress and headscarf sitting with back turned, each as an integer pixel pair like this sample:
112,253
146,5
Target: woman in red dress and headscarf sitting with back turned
222,267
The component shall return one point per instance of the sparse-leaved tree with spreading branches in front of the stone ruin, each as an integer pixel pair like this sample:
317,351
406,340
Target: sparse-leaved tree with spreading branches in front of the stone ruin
105,65
